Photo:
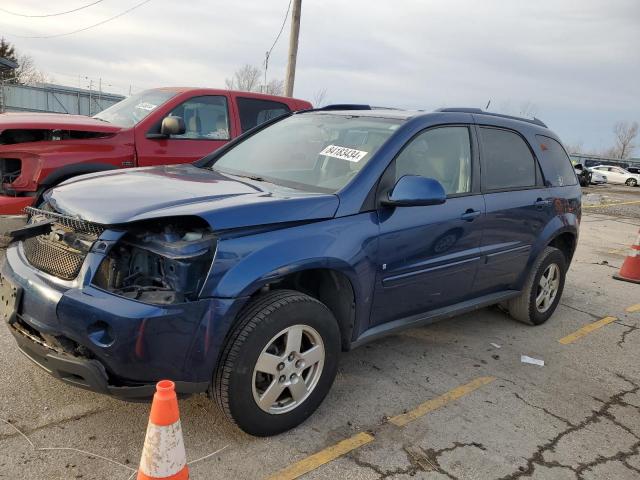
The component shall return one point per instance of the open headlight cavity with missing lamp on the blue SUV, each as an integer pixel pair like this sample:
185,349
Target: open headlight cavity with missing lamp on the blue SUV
163,266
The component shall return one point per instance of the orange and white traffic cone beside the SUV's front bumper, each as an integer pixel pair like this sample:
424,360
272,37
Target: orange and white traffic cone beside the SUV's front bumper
163,455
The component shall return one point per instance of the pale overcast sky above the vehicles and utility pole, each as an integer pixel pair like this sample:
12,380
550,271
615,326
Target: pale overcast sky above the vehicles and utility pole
576,61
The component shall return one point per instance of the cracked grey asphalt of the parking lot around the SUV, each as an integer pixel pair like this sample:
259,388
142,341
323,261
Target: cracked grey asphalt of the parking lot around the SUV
578,417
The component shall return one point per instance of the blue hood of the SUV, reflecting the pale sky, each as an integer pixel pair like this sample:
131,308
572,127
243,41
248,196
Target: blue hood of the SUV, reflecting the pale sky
124,196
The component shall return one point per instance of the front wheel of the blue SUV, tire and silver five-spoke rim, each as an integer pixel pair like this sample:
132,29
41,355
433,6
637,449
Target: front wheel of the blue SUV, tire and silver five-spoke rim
278,364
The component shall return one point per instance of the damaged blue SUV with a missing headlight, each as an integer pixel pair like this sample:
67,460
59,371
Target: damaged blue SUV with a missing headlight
245,274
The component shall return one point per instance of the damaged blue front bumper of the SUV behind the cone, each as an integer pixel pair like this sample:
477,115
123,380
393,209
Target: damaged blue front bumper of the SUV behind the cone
112,345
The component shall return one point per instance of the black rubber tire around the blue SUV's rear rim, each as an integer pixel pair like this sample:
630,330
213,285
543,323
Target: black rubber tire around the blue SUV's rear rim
523,307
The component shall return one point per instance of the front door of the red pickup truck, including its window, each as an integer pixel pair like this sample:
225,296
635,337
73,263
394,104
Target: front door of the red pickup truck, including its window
208,126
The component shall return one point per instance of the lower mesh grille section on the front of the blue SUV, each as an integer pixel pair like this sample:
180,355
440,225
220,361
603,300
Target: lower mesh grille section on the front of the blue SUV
53,258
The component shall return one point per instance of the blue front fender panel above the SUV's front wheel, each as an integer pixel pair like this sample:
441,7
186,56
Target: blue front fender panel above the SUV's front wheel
244,264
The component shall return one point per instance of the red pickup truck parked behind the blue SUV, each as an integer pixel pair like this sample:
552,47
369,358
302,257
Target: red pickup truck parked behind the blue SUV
158,126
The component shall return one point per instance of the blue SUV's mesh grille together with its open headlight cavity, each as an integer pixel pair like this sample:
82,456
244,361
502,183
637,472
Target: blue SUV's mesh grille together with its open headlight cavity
161,262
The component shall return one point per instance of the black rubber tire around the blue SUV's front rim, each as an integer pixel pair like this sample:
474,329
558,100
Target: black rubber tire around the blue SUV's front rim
264,318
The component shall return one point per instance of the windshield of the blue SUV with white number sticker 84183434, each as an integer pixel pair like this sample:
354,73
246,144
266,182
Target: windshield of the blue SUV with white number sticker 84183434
317,152
